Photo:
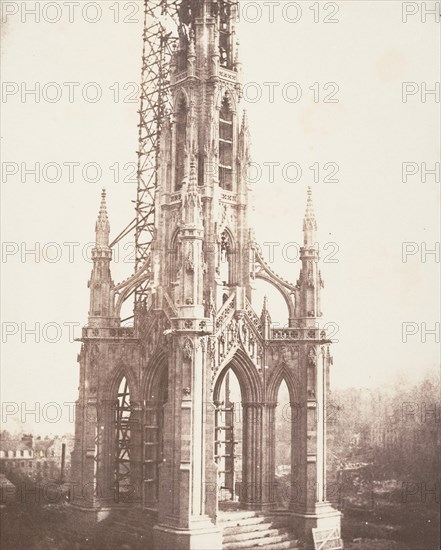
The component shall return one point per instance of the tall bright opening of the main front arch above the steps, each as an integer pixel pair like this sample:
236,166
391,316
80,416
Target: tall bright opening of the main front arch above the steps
228,439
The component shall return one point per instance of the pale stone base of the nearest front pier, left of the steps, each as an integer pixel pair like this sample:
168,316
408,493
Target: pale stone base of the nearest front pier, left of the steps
203,537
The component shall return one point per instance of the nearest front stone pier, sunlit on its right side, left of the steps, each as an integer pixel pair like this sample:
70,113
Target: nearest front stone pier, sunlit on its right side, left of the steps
183,522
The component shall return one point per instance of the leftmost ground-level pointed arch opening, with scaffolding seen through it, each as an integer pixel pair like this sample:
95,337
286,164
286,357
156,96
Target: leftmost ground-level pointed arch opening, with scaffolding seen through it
122,419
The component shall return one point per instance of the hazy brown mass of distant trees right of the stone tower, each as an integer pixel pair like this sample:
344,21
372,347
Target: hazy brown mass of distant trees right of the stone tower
396,429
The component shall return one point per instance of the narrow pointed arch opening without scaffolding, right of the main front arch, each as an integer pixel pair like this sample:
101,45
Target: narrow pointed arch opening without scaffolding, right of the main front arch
283,447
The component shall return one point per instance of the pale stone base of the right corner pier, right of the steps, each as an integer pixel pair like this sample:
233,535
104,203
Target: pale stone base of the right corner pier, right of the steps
324,517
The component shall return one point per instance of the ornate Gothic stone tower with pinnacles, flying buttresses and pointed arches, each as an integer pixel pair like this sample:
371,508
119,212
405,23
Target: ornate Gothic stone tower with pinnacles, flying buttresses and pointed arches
151,401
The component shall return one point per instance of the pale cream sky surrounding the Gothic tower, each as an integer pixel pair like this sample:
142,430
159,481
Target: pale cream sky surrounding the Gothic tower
365,216
